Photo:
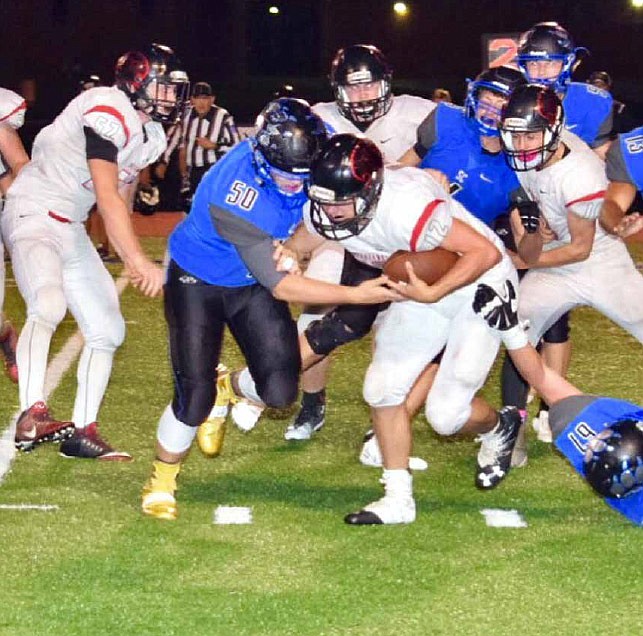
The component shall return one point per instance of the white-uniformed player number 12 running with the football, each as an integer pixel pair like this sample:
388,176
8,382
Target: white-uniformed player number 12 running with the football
376,211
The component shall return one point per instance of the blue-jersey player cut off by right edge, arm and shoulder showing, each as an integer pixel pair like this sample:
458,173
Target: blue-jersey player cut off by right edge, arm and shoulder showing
624,168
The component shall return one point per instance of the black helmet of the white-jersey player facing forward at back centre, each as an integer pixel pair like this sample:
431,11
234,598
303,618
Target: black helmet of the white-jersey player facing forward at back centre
361,64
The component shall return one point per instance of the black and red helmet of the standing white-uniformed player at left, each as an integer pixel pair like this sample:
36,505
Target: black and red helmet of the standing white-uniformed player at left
155,82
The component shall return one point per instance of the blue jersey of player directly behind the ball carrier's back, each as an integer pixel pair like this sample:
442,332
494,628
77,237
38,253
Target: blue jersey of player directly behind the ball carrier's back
481,181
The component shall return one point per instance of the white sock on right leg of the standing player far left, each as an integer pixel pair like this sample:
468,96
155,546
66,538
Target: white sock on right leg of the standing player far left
94,369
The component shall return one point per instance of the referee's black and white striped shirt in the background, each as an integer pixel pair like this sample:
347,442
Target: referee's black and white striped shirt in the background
217,125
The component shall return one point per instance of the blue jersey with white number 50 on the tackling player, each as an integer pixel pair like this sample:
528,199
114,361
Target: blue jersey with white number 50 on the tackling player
231,187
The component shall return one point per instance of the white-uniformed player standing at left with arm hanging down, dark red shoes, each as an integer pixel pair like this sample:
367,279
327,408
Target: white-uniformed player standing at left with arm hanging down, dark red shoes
91,154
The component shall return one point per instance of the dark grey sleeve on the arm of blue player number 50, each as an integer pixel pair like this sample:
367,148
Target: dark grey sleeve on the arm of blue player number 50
254,245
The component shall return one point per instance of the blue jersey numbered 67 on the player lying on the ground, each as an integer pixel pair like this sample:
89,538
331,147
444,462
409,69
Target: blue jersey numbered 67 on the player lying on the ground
573,441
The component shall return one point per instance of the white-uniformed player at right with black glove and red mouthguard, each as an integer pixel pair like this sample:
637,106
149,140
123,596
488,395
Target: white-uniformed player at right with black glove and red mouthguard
582,265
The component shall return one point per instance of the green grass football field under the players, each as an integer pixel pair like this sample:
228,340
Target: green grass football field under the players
97,566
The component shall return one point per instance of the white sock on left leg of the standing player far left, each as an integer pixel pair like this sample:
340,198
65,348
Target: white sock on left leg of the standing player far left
32,353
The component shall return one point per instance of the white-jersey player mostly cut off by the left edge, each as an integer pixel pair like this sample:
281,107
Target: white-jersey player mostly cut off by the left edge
12,159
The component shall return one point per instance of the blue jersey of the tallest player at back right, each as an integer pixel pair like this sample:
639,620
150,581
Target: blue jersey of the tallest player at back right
588,113
